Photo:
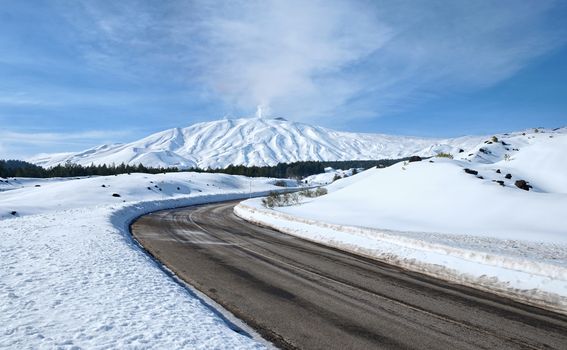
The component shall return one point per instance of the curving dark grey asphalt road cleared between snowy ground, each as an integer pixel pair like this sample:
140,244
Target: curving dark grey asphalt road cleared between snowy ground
303,295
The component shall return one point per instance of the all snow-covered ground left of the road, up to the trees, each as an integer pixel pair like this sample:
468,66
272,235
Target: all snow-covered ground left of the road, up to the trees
72,277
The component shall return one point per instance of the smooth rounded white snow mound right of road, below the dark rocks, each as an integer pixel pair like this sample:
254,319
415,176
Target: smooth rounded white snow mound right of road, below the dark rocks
441,198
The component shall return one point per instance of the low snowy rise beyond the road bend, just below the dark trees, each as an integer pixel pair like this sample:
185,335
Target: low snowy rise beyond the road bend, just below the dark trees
33,196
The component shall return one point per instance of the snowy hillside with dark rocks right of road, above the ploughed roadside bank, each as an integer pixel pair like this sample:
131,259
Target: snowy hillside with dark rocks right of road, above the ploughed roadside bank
439,196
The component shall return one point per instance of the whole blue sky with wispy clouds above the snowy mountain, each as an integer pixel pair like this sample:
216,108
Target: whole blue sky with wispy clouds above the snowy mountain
75,74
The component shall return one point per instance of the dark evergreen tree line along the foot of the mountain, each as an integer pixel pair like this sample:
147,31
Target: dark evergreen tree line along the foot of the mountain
297,170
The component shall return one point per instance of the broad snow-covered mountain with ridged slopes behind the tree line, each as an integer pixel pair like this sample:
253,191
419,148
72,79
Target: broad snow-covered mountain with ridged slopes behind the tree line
255,141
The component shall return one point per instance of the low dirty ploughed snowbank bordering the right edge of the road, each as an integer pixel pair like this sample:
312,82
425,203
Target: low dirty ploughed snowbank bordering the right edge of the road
540,283
